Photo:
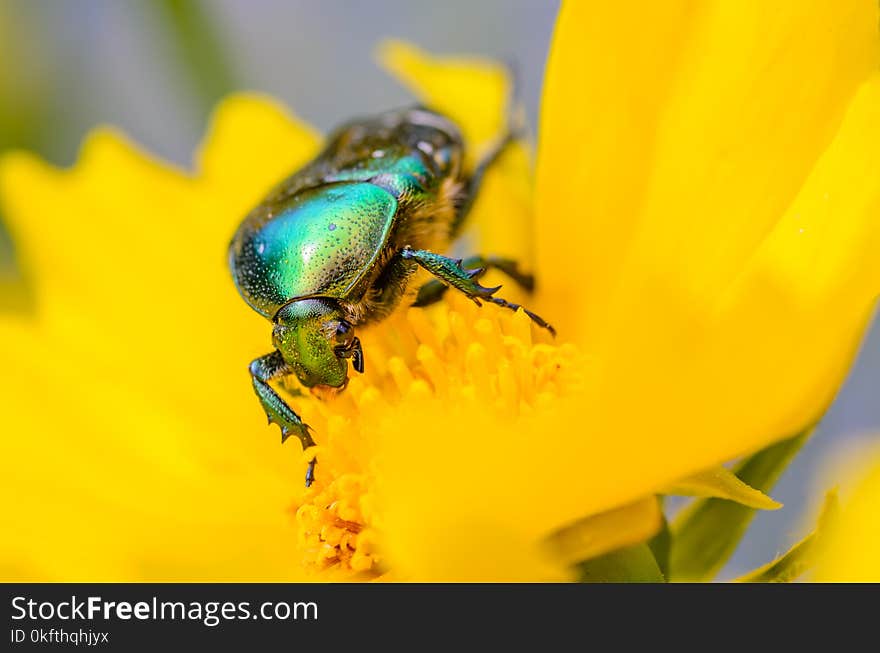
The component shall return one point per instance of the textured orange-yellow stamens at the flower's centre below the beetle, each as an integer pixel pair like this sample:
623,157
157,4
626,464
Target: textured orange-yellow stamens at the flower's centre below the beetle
473,358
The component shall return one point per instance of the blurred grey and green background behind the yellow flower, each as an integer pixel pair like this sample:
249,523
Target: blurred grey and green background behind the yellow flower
156,68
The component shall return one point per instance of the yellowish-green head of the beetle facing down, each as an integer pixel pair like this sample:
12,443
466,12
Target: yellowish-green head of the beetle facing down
315,340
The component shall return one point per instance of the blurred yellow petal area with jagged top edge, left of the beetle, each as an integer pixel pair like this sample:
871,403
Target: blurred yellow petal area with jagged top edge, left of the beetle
127,412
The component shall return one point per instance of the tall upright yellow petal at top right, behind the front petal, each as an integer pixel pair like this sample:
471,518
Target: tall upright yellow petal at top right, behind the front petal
673,138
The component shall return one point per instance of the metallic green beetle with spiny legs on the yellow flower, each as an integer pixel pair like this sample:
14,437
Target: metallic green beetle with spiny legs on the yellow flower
334,246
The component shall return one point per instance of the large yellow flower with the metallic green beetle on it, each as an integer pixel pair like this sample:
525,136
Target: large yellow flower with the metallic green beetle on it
706,205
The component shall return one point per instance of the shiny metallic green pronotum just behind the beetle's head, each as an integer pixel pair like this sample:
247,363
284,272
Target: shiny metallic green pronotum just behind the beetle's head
319,242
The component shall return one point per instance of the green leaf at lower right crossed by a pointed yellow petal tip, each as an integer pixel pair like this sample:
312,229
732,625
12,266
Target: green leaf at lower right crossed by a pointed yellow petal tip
706,533
